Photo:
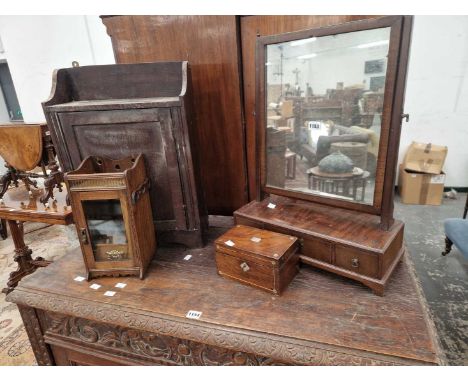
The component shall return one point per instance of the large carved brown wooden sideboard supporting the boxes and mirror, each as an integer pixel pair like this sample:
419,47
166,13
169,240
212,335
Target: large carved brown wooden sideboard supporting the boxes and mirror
321,319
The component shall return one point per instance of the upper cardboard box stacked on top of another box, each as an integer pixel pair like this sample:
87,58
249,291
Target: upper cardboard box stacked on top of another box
425,157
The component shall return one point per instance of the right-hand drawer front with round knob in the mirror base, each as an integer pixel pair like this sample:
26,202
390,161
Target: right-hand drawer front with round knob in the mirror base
357,261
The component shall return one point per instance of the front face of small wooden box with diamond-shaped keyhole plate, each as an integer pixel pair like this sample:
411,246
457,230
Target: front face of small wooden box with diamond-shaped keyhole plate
246,271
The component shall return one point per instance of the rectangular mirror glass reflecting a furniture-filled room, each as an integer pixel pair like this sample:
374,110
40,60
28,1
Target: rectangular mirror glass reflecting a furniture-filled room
325,97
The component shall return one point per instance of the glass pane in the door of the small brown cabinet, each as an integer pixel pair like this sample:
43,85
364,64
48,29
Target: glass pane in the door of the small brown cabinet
106,229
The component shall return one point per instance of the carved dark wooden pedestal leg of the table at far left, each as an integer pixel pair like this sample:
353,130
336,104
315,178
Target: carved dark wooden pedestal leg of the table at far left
26,265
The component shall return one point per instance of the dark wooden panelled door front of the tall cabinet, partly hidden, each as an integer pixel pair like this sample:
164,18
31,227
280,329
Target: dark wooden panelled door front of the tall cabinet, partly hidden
120,133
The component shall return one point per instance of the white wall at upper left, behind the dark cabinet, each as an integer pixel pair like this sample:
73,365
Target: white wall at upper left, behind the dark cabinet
36,45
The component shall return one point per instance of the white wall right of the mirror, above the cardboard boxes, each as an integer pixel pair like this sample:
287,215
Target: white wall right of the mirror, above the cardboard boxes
437,91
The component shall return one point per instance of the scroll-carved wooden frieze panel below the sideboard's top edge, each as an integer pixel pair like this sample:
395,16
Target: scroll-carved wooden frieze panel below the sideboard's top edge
142,347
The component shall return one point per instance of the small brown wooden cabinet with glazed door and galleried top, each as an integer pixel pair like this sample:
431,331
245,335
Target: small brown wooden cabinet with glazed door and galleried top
112,213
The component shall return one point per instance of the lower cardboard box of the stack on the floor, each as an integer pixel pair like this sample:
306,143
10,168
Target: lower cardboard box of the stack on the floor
418,188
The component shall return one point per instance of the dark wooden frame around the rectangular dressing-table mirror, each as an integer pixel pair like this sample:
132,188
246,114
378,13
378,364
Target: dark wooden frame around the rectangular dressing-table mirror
400,37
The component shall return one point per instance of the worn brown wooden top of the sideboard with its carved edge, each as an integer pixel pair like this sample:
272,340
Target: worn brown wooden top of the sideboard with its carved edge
319,313
